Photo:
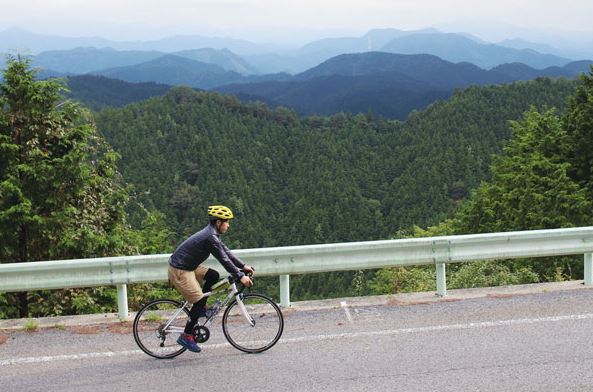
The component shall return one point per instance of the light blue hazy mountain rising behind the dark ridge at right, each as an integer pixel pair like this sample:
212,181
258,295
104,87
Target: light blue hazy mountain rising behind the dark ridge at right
457,48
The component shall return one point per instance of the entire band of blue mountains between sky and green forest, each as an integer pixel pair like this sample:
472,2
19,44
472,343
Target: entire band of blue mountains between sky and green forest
354,74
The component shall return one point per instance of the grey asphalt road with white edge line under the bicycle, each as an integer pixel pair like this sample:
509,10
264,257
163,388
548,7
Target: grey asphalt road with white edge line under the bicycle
534,342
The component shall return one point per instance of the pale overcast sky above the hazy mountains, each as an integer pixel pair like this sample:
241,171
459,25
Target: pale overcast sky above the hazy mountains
294,21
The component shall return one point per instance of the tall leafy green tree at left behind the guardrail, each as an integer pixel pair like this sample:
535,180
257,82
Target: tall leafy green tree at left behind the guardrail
61,195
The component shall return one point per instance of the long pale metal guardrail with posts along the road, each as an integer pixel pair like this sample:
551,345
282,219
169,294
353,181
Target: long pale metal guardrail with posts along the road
291,260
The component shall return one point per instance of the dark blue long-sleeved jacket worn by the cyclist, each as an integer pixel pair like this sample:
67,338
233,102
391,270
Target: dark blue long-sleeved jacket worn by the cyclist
195,250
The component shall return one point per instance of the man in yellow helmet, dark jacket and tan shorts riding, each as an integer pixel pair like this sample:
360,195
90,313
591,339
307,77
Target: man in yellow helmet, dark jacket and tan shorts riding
186,273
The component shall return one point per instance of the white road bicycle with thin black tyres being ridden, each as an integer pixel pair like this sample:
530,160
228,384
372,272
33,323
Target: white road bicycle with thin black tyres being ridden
251,322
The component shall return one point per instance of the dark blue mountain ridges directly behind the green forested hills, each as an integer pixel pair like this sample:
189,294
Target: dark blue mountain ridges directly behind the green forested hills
385,84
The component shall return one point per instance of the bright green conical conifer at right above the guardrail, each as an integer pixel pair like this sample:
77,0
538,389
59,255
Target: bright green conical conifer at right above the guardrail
530,187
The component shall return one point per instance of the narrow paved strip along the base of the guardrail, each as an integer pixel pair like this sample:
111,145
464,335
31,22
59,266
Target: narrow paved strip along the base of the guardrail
405,299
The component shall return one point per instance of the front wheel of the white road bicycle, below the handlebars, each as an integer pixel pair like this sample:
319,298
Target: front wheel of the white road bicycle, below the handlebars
254,326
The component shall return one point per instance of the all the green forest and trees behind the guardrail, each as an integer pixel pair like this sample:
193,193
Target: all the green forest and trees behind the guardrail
138,179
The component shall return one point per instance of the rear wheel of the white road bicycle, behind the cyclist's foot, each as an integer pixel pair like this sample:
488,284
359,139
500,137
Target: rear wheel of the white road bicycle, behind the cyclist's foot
156,328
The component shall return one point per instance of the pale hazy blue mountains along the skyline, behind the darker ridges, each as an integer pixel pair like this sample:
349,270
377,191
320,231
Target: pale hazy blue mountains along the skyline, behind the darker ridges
245,58
